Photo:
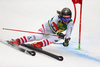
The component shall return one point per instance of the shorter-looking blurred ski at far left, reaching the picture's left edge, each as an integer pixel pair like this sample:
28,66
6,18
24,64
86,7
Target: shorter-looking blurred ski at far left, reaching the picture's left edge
32,53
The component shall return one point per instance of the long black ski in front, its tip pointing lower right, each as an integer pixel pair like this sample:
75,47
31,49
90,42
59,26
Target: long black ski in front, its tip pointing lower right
60,58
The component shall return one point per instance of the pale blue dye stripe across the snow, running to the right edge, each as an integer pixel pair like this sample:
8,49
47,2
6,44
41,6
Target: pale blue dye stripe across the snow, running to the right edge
76,52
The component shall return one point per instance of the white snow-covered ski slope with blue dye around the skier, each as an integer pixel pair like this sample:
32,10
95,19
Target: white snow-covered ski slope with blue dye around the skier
30,14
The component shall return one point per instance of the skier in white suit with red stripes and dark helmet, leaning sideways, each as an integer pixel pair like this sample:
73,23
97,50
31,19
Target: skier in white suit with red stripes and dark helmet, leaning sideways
59,23
